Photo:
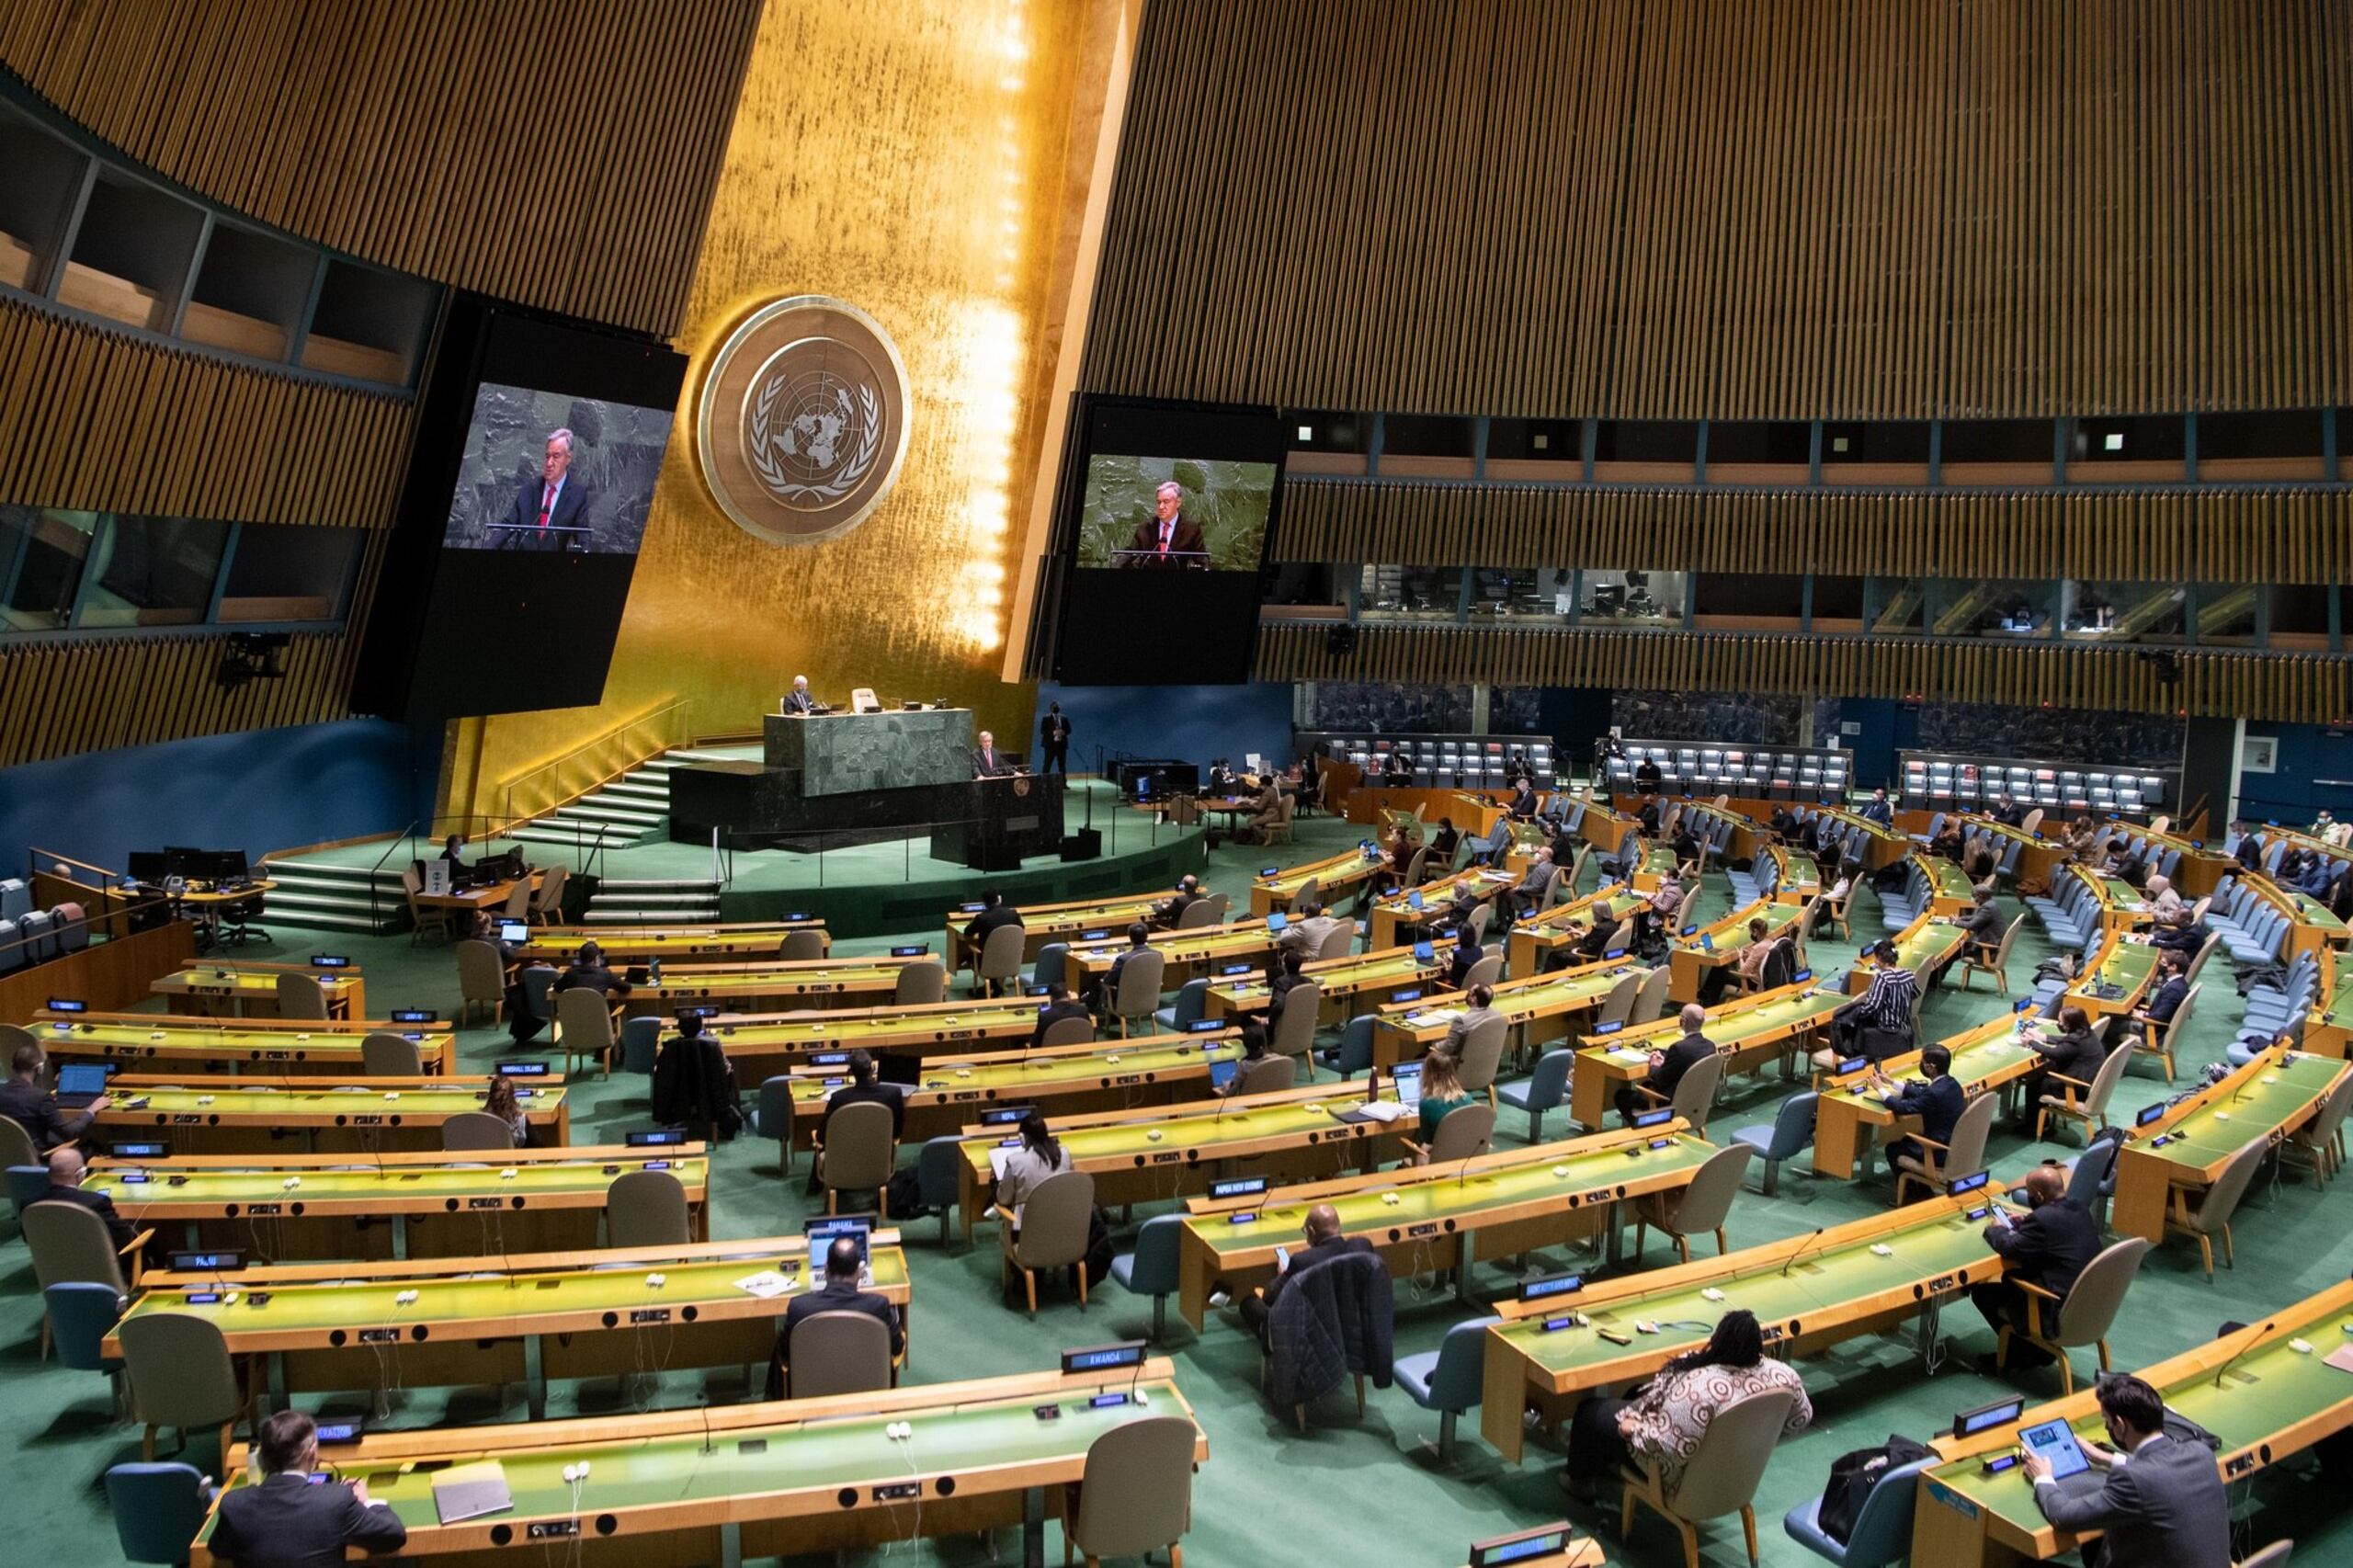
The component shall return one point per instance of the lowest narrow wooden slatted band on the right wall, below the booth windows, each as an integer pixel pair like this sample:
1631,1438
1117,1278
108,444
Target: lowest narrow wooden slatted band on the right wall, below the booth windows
2300,689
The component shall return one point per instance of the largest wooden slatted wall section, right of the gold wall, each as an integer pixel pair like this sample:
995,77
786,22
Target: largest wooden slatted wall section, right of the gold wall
1735,208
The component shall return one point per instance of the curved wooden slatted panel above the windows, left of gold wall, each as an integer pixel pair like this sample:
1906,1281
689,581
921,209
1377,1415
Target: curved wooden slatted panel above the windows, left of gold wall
552,154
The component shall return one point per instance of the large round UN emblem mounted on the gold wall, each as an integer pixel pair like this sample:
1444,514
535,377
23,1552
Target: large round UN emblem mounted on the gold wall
804,420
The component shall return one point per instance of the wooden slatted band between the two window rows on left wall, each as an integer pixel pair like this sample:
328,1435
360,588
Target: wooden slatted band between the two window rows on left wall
107,423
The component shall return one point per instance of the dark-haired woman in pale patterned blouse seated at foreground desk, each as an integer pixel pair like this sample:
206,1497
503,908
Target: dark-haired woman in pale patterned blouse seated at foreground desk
1665,1421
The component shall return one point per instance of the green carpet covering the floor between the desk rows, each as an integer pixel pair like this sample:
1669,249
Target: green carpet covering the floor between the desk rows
1267,1494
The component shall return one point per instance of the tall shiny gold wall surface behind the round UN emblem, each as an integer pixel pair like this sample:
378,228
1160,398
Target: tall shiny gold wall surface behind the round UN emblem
909,157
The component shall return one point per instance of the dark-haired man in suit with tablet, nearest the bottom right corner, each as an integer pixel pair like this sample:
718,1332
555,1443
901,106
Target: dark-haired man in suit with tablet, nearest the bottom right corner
2161,1503
